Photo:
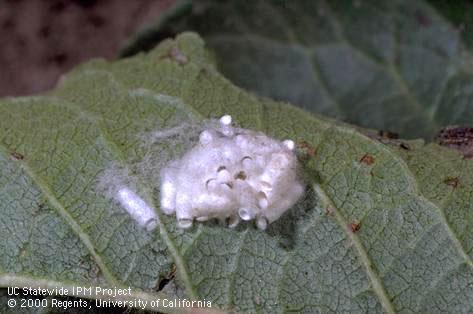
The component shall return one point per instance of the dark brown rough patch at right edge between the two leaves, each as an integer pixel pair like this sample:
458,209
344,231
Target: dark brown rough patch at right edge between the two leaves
459,138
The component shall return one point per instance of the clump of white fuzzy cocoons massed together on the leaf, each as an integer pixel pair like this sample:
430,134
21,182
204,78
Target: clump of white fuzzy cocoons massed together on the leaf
232,174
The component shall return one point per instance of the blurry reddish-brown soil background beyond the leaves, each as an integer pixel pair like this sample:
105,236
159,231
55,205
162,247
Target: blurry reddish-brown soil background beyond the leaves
42,39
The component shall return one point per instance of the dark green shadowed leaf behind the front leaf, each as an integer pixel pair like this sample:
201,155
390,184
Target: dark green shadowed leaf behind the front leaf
391,65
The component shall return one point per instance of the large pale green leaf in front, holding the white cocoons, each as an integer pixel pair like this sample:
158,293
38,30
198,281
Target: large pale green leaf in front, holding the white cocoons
382,227
